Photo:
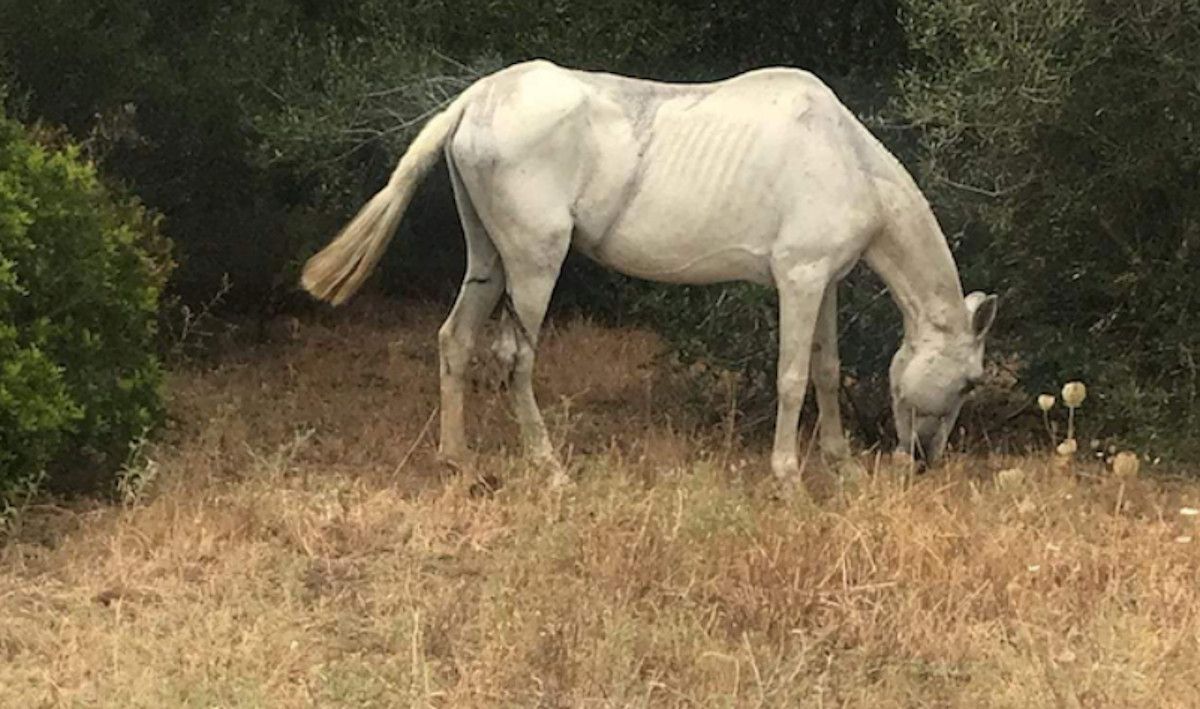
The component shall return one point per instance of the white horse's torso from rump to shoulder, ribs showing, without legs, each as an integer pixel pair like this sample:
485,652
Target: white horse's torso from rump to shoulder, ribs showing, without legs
673,182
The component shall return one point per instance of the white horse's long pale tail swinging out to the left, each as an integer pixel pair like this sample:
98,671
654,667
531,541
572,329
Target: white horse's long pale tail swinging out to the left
339,271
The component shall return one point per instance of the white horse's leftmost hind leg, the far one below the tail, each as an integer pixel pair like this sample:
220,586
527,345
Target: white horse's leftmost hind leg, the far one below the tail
482,289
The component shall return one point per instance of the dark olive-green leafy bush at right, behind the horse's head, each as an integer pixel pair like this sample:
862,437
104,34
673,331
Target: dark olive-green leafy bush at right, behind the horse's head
1060,143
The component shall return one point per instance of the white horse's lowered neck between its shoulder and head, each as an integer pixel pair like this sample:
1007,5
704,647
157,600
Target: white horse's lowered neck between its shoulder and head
915,262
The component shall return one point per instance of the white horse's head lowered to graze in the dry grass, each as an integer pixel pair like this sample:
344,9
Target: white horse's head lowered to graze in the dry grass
933,376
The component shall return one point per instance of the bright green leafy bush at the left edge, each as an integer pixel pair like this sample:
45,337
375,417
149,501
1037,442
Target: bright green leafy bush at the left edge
81,273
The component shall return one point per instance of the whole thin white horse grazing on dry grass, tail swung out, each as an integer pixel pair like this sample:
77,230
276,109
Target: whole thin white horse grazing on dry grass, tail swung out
765,177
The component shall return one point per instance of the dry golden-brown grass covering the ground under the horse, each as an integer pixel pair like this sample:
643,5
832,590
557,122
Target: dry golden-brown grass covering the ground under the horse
293,543
